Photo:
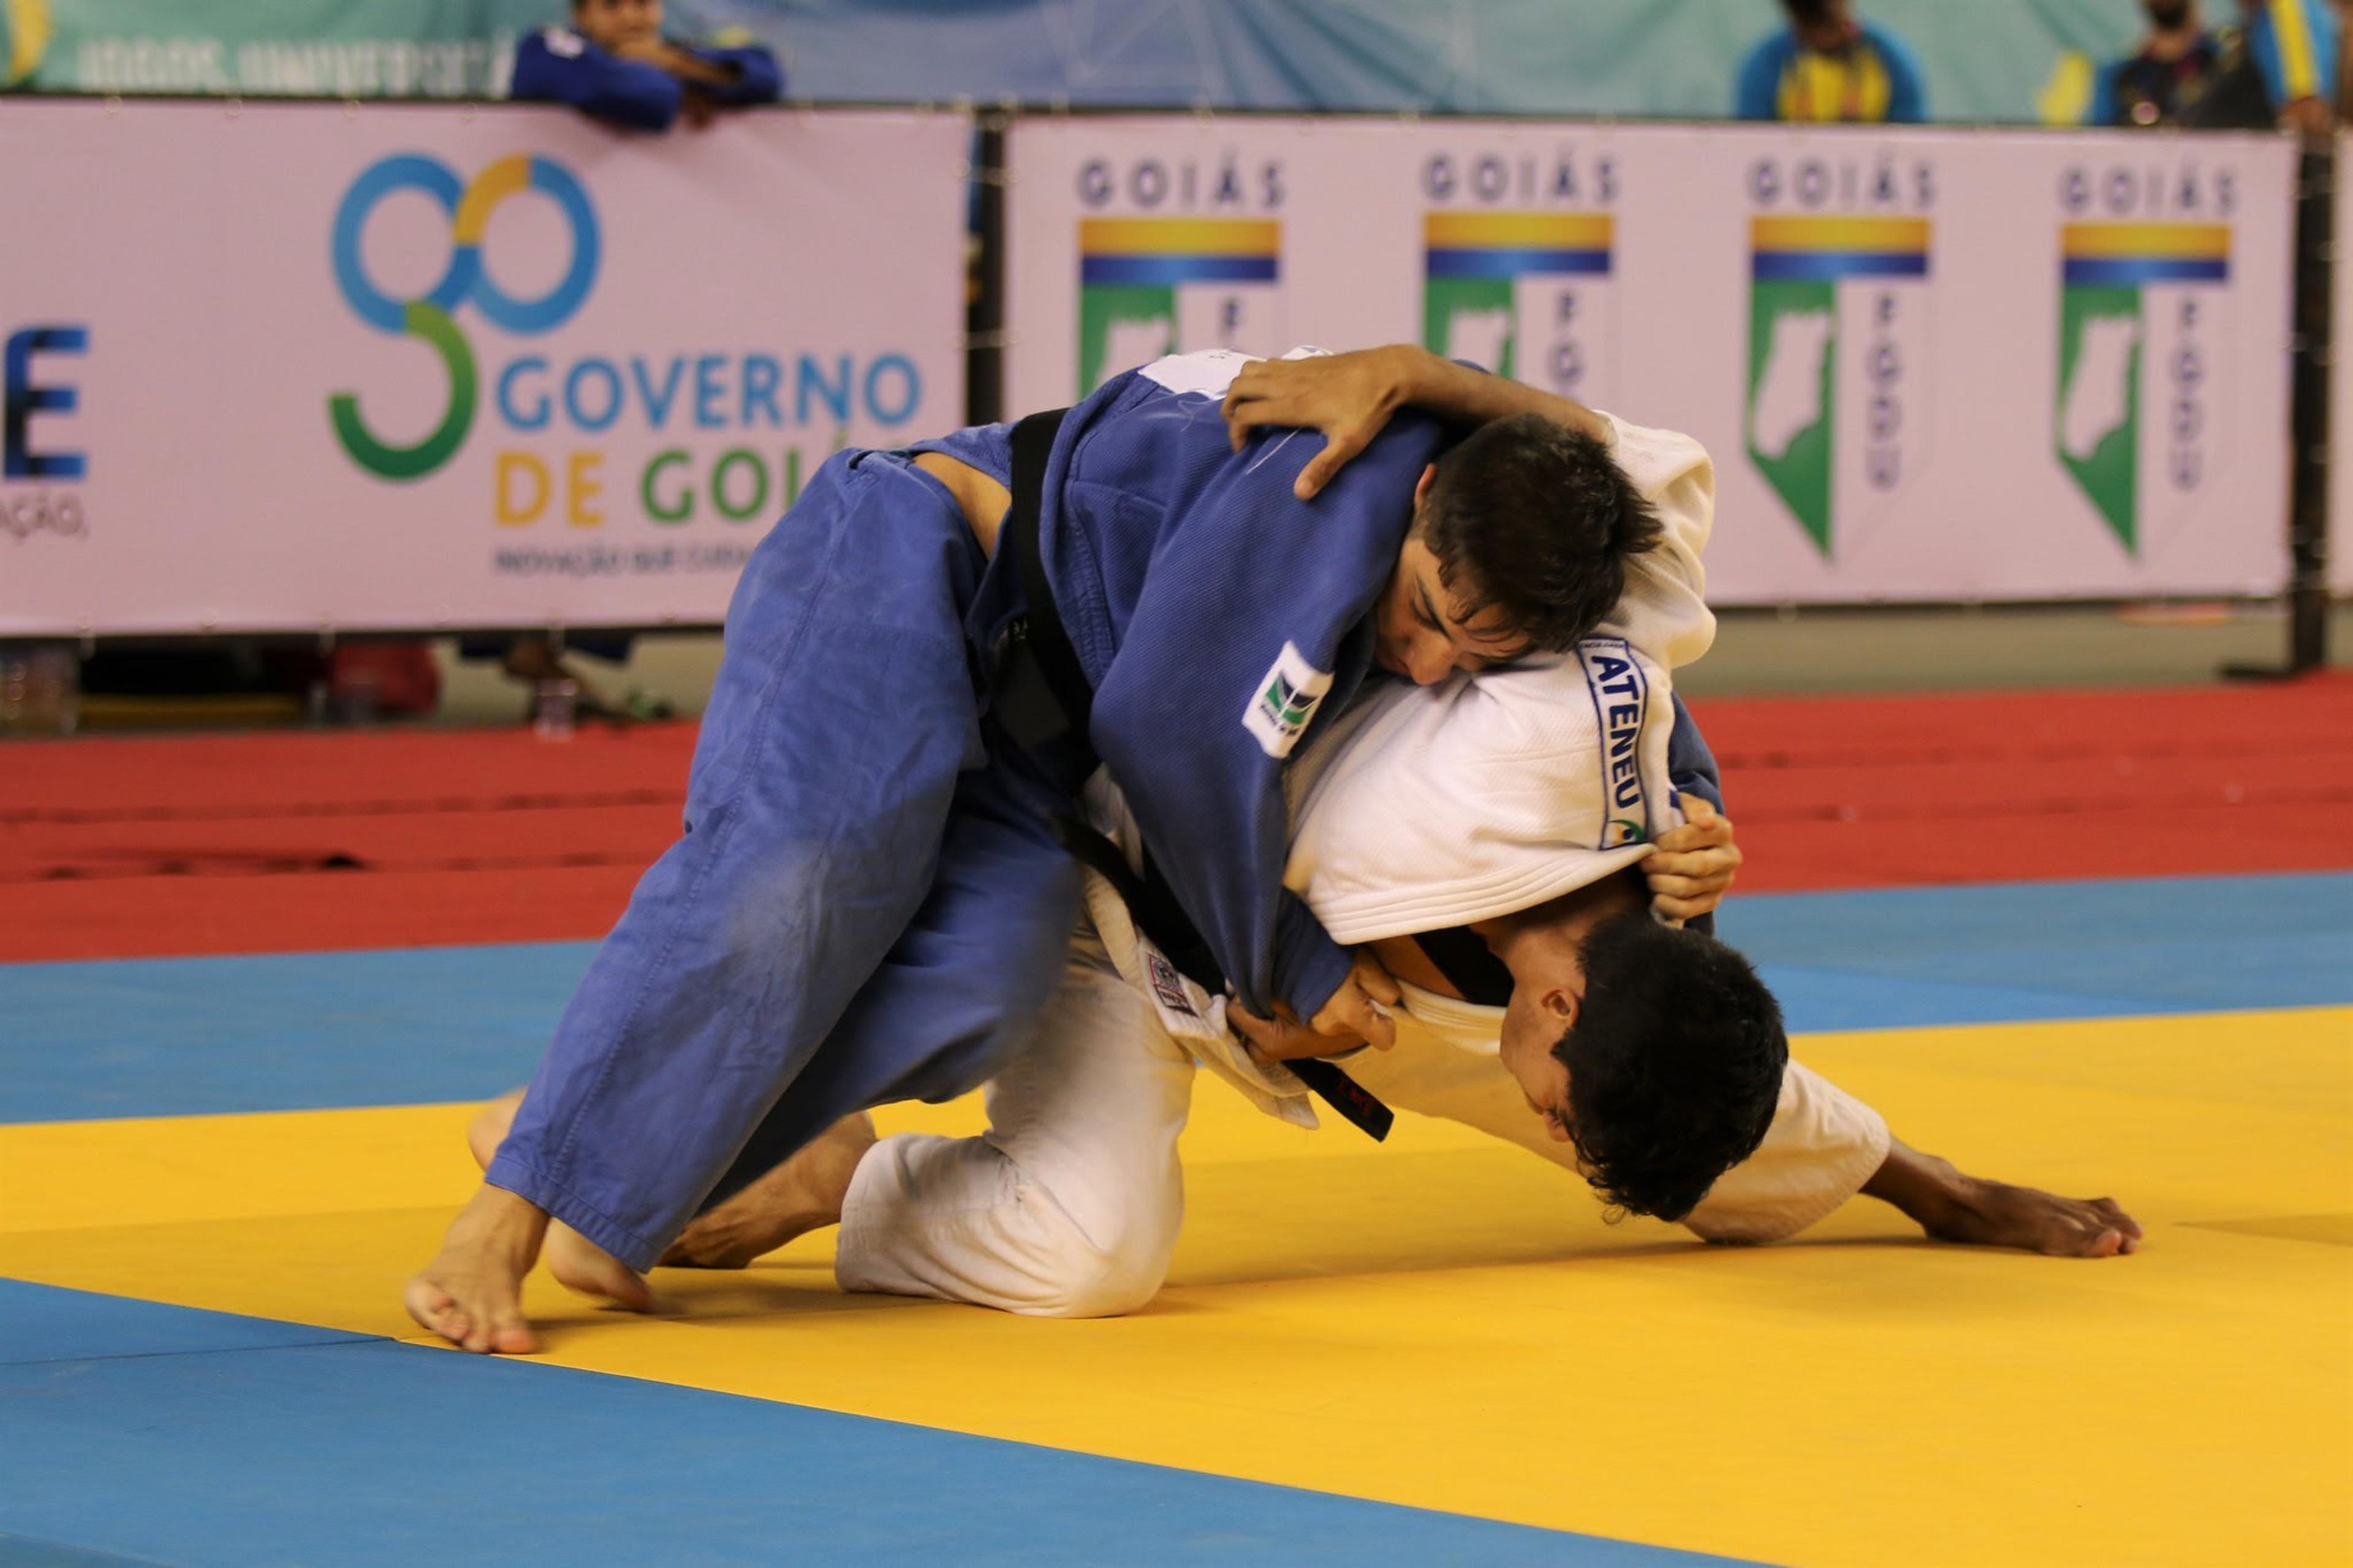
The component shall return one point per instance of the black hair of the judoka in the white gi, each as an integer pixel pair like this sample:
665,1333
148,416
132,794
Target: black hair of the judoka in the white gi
1674,1063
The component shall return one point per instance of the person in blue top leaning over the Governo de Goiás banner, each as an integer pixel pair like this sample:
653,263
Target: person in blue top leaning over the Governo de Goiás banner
615,65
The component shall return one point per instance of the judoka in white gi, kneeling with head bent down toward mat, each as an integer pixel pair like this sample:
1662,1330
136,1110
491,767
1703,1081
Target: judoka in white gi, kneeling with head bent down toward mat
1524,806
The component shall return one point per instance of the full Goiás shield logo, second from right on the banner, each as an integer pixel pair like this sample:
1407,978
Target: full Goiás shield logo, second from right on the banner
1839,335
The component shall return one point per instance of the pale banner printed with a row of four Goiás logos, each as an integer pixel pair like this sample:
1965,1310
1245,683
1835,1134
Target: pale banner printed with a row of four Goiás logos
1931,366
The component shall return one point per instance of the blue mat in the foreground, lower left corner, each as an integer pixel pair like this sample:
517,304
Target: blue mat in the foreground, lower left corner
392,1454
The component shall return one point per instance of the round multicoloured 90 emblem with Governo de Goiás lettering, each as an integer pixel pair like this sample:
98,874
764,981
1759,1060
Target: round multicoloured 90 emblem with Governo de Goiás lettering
698,425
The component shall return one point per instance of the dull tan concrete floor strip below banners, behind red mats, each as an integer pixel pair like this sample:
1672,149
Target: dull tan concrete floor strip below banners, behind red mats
1757,651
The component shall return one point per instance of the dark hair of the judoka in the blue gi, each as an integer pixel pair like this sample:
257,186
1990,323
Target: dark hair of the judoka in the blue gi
1535,521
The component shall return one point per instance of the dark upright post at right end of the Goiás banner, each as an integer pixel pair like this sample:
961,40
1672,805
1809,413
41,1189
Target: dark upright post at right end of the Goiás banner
2309,423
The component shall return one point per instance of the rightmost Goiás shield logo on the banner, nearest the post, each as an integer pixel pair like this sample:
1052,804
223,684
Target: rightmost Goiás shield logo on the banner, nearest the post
2145,295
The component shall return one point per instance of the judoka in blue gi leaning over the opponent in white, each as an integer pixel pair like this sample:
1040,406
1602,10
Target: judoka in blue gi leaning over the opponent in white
872,903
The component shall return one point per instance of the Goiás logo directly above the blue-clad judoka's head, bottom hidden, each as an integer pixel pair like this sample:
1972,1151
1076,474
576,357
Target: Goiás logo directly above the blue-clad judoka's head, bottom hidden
1517,265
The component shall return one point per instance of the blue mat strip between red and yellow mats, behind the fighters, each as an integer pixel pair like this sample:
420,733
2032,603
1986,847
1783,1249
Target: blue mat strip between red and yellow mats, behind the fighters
286,1032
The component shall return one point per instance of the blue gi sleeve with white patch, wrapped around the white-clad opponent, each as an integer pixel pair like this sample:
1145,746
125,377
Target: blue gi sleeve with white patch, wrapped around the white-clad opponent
1253,611
